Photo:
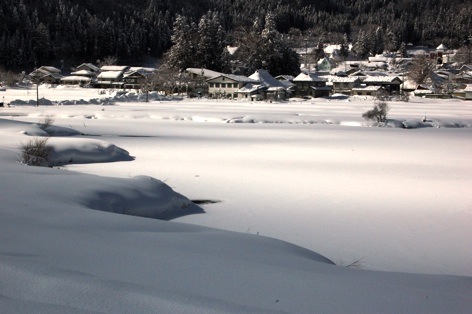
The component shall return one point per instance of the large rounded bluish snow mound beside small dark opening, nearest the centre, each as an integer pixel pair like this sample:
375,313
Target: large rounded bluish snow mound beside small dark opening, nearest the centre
140,196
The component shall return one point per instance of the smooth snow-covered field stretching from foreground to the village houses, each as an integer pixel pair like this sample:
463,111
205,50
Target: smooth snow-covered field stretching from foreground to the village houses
311,173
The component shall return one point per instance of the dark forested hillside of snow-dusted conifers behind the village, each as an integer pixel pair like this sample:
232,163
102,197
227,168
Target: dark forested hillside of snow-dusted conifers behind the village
62,32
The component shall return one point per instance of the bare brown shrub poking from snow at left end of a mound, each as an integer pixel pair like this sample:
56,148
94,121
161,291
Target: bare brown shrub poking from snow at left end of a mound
35,152
